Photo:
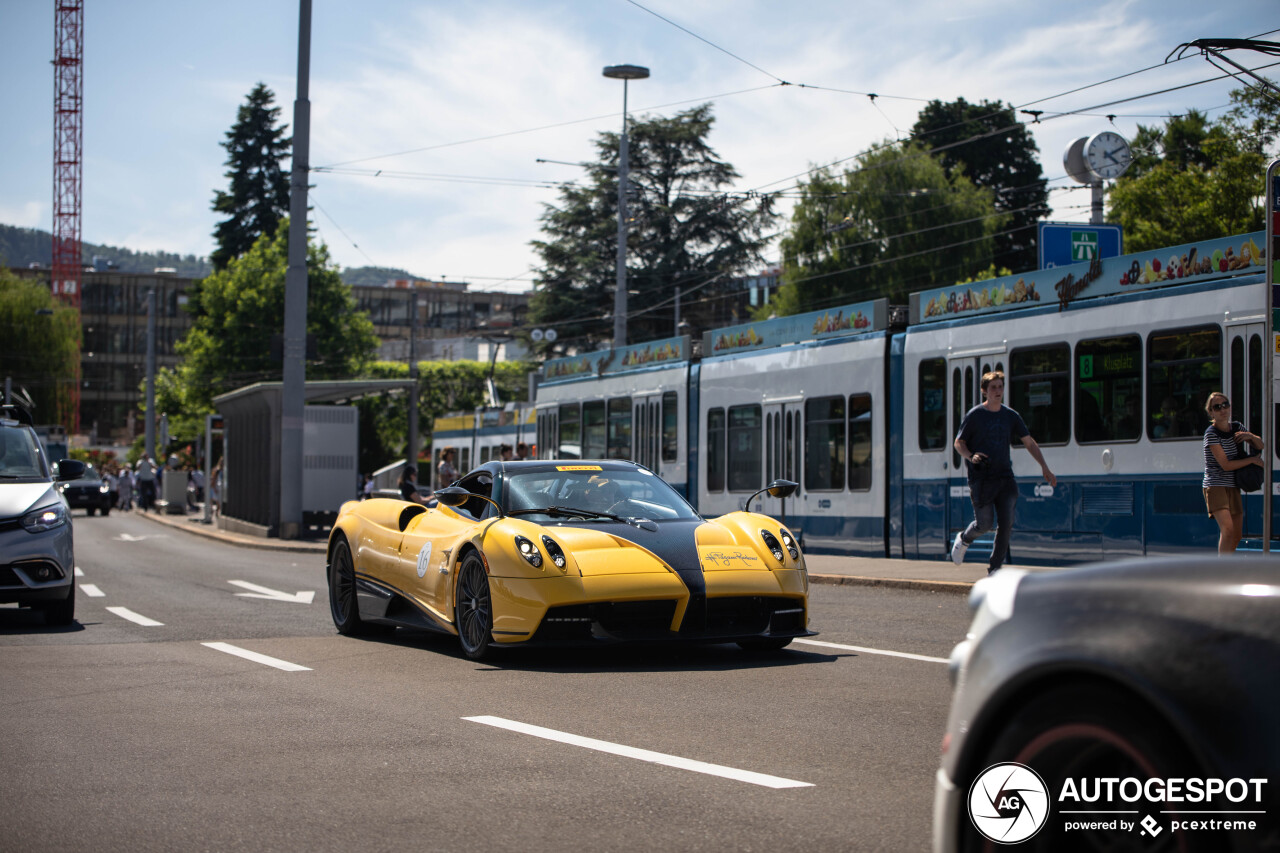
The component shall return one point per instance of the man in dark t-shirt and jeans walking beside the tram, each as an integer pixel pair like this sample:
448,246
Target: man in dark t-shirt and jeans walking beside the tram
985,437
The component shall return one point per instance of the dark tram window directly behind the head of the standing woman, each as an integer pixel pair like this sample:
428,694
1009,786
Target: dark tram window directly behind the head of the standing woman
1183,367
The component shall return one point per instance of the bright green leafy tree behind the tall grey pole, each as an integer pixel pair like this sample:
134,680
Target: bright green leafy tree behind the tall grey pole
237,313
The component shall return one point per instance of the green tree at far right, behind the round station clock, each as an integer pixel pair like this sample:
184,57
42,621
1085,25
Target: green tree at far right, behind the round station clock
1196,180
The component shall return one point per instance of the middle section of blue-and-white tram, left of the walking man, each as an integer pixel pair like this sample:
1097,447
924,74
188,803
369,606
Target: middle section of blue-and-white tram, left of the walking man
802,399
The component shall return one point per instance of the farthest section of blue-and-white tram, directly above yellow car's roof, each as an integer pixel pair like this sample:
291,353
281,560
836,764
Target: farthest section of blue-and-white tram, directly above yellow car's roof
632,403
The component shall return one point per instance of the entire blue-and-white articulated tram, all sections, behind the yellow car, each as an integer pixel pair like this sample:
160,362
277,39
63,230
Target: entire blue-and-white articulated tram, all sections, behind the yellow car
1109,363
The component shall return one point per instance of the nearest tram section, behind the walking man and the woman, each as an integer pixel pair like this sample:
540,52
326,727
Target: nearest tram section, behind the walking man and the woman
1110,366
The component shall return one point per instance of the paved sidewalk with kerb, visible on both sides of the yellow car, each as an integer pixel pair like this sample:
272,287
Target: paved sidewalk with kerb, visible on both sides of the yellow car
934,576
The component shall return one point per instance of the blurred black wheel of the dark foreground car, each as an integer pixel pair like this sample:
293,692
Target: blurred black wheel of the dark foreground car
1085,732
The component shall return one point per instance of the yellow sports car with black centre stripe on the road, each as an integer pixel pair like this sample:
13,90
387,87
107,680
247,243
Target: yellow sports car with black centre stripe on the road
565,553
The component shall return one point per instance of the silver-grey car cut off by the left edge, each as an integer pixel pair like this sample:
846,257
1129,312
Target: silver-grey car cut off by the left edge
36,553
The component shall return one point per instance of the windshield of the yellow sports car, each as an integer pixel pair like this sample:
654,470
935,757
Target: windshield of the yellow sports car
547,495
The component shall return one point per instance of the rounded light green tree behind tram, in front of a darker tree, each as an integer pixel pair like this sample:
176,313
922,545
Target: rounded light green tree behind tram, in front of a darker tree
897,223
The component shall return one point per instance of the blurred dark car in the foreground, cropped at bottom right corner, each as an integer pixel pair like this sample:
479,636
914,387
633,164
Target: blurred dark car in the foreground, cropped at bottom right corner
1124,706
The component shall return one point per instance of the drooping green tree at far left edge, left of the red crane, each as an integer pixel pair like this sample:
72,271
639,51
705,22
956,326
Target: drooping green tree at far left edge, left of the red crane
39,346
